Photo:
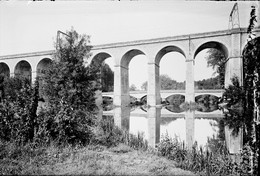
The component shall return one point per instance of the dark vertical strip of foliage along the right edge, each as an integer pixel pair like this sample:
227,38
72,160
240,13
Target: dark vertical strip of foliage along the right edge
251,66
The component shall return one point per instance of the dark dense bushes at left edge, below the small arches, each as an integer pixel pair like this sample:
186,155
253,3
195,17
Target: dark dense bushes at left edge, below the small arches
18,110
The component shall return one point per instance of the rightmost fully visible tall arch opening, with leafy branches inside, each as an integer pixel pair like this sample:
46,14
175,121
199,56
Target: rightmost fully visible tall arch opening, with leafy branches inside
210,62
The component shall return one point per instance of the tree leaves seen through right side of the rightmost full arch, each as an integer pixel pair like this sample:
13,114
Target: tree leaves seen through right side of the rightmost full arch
217,60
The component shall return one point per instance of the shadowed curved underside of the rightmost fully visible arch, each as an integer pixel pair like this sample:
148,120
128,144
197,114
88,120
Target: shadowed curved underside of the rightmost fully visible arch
212,44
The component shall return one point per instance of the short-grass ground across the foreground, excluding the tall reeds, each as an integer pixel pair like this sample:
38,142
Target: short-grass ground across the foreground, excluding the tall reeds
90,160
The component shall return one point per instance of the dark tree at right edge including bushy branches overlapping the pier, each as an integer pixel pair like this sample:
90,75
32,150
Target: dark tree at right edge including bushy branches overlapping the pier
243,102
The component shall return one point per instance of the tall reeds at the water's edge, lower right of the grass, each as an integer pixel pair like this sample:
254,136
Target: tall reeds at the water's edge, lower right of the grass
205,162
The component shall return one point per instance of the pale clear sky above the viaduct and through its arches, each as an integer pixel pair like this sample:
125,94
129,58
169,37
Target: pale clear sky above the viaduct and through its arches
32,26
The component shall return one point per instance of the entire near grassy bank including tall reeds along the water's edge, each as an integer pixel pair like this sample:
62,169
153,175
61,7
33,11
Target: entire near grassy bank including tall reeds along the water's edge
113,151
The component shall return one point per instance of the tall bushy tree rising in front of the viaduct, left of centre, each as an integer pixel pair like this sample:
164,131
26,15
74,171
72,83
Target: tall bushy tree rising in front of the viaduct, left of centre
69,91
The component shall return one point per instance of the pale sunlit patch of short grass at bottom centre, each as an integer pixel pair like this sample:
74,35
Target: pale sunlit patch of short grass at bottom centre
121,160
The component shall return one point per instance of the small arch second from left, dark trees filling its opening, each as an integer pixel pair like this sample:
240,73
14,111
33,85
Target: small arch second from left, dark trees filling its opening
23,69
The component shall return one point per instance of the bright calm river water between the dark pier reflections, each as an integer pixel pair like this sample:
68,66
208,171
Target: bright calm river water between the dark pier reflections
172,124
